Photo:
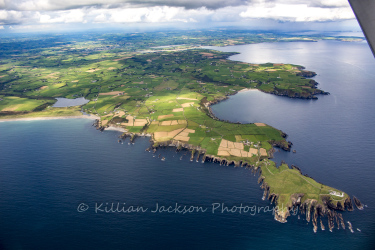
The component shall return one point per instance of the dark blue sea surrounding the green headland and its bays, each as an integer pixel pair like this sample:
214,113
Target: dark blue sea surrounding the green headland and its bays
48,168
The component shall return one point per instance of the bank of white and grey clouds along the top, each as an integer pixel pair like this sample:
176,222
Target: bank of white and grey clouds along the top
205,12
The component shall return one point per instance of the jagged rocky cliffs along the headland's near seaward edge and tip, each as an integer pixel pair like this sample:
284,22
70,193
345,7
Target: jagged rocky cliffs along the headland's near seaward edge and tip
312,208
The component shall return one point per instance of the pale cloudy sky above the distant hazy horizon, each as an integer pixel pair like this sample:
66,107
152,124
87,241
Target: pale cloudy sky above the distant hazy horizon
284,15
